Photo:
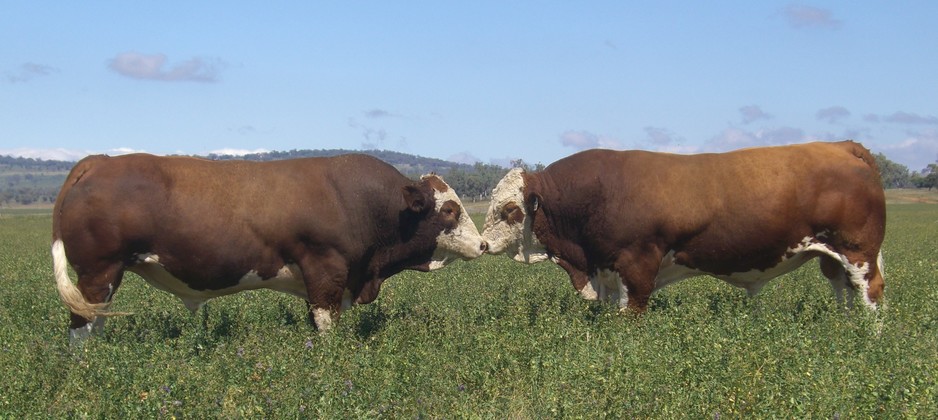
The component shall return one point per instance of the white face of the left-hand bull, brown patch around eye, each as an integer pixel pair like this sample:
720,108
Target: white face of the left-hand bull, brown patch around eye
463,241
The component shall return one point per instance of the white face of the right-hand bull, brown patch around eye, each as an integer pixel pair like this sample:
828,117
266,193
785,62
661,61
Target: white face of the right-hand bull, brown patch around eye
517,239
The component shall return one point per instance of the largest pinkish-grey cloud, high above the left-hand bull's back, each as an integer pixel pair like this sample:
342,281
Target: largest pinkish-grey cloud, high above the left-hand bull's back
151,67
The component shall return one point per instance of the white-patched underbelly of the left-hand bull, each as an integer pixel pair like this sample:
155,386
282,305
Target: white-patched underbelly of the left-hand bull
288,279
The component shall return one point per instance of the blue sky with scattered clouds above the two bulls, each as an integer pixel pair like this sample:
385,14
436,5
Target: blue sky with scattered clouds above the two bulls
468,81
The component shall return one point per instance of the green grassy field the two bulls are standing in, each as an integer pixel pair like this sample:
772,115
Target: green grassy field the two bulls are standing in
485,339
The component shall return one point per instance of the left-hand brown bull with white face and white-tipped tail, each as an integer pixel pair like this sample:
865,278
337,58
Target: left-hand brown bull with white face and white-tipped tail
328,230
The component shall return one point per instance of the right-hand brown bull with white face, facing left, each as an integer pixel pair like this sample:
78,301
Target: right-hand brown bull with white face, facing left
624,224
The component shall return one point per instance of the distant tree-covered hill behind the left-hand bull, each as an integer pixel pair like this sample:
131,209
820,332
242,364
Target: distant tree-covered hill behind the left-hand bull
28,181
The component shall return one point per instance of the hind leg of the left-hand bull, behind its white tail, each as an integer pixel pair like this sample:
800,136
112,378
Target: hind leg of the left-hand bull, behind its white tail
97,287
